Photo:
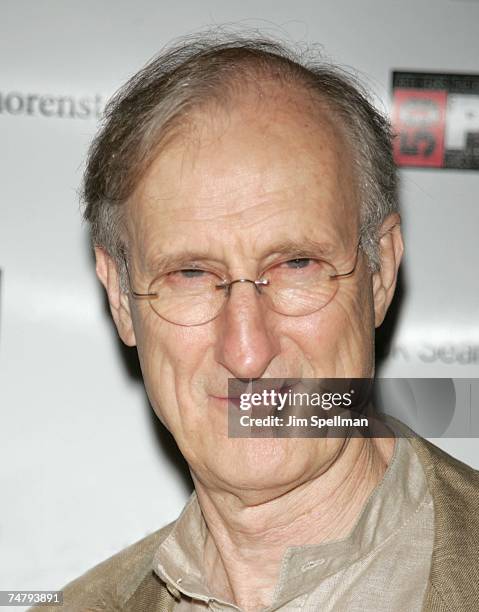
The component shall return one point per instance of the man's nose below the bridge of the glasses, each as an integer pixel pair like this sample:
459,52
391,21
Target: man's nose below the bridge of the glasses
246,343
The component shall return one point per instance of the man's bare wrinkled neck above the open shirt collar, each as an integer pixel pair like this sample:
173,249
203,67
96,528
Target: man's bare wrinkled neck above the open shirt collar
246,542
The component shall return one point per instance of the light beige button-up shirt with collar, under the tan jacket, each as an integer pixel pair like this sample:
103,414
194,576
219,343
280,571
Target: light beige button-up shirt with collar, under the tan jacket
383,565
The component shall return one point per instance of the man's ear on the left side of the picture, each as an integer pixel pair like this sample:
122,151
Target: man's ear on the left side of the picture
107,272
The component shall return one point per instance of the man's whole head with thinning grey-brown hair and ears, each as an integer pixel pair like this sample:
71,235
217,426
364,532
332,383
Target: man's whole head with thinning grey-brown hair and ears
231,160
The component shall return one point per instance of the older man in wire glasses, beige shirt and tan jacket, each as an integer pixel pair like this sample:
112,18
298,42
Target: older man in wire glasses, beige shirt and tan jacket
243,211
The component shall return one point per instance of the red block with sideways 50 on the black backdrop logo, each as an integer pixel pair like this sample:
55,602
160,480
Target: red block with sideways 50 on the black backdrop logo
419,119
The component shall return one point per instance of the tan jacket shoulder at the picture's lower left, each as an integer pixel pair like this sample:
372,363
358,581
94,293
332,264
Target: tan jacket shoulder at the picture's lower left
109,584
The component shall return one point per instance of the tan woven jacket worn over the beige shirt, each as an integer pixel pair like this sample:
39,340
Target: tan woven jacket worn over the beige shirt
127,583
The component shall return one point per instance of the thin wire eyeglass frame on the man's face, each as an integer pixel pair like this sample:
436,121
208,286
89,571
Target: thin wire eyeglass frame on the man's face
226,285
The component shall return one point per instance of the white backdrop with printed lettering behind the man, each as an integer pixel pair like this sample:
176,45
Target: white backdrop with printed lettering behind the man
84,468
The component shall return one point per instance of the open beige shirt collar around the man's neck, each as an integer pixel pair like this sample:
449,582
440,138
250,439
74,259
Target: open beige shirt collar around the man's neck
179,559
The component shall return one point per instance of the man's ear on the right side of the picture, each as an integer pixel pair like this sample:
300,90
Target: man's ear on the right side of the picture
391,249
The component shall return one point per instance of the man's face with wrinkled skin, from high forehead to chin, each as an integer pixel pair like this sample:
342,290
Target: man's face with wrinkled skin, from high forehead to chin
243,182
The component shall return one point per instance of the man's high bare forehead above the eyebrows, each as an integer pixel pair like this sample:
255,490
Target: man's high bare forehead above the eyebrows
270,167
